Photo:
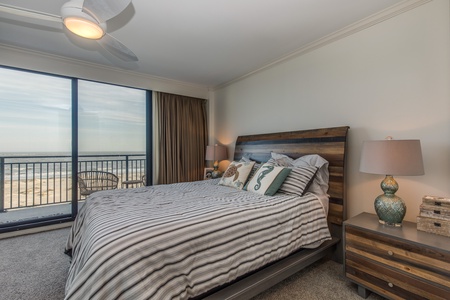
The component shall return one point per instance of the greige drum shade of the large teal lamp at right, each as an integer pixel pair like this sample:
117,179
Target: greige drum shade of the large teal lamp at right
392,157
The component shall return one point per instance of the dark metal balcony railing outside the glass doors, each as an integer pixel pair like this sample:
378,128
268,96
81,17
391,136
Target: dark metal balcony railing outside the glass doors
27,181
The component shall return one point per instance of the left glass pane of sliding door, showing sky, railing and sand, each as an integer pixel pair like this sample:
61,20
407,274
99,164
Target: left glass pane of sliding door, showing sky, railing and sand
35,128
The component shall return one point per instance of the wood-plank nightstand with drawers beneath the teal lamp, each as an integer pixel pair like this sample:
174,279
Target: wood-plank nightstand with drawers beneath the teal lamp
396,262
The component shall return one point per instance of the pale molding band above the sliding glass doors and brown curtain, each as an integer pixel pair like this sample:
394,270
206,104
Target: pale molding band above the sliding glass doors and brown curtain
33,60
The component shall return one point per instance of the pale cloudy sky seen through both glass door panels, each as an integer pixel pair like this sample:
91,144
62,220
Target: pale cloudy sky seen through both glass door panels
35,115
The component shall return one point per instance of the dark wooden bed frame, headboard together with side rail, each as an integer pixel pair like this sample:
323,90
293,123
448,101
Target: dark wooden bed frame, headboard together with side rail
330,143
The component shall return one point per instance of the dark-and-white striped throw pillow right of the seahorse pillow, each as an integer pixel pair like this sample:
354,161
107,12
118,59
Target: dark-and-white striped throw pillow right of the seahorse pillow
298,180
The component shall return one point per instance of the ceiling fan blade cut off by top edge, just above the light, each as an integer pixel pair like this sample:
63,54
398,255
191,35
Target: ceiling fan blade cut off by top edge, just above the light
104,10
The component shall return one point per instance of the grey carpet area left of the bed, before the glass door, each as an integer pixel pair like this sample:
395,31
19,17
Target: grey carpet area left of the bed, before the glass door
34,267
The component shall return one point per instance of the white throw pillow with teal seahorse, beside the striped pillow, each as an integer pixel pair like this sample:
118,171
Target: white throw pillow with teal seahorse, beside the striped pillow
268,179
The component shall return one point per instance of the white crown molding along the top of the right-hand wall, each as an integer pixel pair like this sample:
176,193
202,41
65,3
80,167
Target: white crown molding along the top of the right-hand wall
356,27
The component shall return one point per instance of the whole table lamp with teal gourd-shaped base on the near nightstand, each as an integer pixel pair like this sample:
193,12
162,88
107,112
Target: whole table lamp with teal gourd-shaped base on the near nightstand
391,157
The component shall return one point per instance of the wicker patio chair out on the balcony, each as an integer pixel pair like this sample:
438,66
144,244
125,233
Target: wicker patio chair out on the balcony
93,181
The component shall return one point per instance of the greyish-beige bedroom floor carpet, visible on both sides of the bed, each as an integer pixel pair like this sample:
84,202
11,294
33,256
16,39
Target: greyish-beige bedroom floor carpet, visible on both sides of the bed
34,267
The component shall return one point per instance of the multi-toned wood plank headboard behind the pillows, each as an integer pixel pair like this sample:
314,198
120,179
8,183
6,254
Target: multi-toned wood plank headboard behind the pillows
330,143
